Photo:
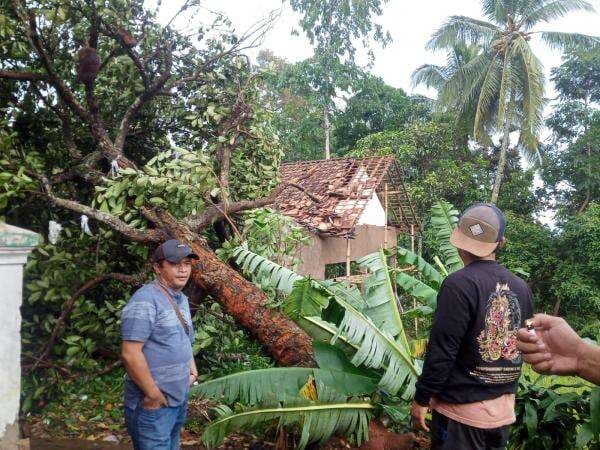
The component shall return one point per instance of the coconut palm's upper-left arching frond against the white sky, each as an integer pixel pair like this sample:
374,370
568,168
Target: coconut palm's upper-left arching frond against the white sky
465,29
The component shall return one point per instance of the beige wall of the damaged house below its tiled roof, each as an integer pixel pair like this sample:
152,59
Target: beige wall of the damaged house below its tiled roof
330,250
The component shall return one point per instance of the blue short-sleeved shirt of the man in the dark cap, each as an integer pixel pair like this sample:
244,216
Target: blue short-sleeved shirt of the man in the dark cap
149,317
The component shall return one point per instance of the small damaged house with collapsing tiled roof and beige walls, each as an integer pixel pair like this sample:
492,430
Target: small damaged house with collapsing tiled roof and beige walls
351,207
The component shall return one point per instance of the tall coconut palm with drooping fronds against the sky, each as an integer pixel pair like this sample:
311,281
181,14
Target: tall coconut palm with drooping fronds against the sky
503,85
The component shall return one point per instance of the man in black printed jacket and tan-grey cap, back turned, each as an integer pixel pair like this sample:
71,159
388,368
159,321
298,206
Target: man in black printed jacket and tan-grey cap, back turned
472,367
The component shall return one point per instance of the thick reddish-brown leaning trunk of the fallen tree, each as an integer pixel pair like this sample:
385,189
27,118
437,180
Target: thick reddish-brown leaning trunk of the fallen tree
285,341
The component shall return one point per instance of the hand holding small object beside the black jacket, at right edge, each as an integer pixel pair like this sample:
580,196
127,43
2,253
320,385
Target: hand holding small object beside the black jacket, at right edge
555,348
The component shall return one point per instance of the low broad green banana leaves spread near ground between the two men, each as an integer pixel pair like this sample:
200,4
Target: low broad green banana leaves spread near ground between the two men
334,398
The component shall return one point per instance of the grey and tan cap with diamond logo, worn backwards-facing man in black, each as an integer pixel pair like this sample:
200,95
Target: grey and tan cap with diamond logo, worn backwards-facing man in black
480,229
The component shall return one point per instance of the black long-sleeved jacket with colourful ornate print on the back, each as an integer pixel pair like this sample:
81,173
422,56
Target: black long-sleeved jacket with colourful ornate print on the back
472,355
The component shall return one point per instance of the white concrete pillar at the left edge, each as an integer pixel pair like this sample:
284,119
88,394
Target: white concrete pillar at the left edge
15,246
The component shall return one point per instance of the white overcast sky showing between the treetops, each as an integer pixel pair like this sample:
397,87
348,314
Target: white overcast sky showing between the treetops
410,24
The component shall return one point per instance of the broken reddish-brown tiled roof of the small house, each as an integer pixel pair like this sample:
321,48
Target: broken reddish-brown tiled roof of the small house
343,187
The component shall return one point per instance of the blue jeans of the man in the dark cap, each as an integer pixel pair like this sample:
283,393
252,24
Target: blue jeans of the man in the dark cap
155,429
